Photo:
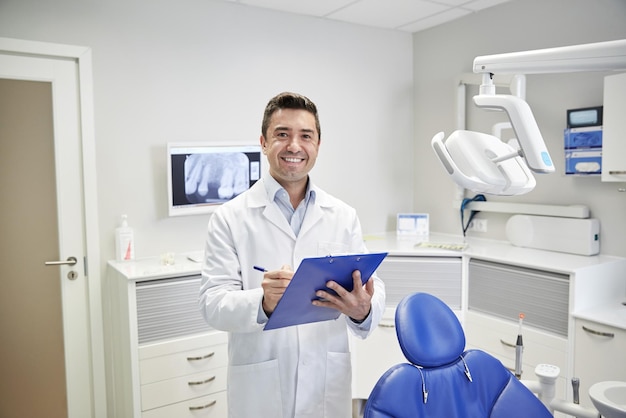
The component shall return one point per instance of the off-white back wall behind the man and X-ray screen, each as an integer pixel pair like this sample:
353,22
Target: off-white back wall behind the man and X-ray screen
201,70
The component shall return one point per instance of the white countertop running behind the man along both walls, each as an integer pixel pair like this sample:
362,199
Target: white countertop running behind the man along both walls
611,312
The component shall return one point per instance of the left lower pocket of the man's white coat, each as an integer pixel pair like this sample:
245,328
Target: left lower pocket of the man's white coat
254,391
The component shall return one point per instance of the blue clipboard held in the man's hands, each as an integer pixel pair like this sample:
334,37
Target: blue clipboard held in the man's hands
295,307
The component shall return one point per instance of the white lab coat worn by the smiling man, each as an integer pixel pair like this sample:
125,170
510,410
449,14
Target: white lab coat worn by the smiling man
300,371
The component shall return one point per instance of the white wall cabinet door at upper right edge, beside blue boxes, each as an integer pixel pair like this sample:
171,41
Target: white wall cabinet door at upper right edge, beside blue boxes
614,129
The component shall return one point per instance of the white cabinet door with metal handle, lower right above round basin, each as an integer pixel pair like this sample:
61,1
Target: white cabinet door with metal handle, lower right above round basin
599,353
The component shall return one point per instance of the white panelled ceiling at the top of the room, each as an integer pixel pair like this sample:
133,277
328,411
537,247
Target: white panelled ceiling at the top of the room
404,15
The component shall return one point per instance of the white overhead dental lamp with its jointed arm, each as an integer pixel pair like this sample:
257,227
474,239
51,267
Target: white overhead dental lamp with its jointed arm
483,163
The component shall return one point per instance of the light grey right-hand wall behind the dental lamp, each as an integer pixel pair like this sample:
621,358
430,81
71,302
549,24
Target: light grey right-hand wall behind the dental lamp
443,53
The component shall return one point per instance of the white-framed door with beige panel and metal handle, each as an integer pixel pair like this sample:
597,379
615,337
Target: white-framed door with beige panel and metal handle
49,365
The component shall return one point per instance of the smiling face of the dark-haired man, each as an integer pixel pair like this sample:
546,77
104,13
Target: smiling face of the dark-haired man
291,144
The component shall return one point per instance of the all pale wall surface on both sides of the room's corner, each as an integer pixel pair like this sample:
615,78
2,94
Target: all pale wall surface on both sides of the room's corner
203,70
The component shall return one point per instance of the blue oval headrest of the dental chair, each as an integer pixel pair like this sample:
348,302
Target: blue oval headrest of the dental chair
429,332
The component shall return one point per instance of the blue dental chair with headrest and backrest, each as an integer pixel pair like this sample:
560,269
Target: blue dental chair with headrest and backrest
442,380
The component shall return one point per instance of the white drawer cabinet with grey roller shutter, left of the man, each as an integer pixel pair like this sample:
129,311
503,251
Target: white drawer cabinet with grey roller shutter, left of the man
164,360
